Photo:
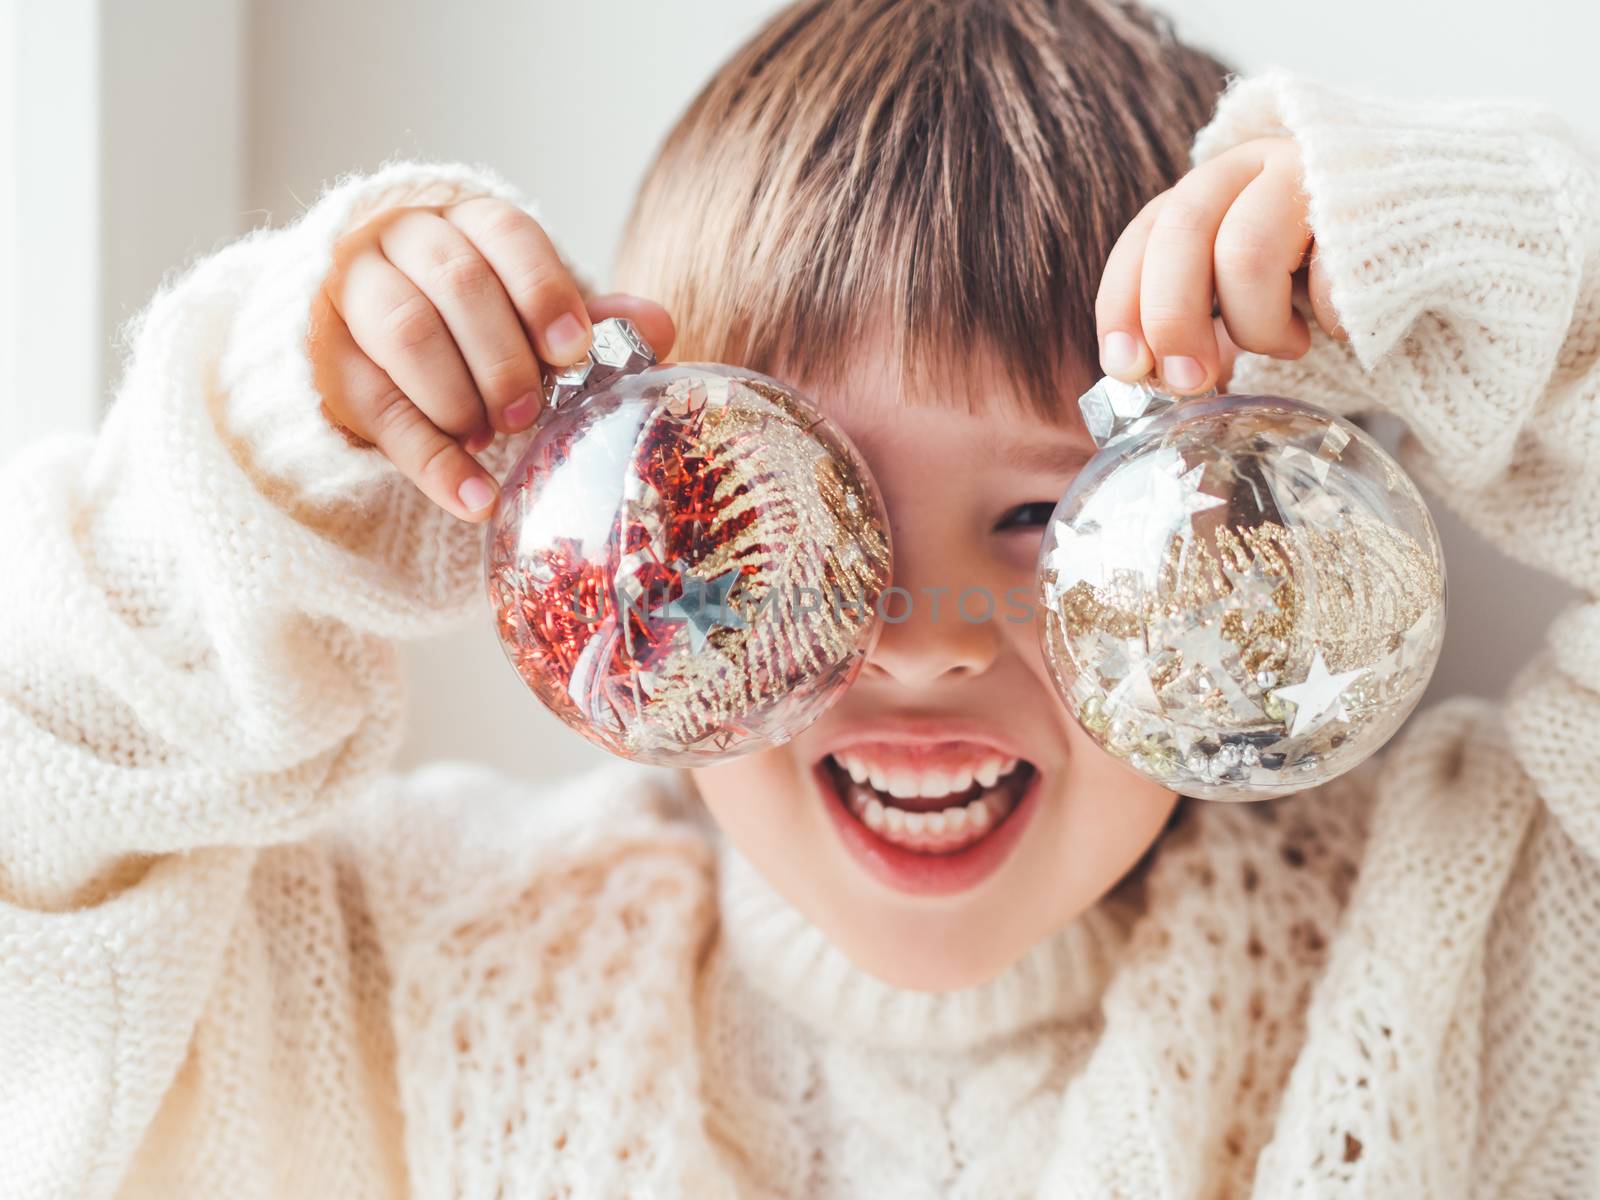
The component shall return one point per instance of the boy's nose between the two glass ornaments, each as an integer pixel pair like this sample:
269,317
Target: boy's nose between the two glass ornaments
934,634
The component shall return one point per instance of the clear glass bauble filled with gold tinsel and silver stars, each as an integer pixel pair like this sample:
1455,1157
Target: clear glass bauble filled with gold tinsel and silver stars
1244,596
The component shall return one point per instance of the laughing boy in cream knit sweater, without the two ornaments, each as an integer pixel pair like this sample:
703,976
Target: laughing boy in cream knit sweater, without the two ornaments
238,956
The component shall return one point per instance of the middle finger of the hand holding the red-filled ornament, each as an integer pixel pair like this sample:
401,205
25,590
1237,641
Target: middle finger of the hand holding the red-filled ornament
462,286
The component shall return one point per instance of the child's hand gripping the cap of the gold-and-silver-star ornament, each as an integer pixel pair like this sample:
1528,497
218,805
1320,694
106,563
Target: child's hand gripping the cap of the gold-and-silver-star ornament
1210,268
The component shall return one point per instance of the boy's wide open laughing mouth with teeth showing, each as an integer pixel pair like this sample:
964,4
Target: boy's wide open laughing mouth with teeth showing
929,820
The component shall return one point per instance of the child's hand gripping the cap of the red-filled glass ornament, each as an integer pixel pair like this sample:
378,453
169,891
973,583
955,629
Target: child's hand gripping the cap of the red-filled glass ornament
430,332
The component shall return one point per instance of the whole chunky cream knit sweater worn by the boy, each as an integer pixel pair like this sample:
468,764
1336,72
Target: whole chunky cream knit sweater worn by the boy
242,958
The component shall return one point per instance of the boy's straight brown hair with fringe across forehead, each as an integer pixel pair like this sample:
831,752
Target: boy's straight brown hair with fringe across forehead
956,169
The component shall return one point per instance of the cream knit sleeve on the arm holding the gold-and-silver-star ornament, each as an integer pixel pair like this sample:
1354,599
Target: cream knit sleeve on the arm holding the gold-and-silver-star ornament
1463,249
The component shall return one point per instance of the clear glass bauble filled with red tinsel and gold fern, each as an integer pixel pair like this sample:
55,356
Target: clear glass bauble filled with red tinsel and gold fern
687,559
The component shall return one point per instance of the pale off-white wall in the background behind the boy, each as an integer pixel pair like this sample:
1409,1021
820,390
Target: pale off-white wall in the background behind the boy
137,134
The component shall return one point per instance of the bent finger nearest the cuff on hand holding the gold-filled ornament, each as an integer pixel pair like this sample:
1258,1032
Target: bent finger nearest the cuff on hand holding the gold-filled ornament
1260,246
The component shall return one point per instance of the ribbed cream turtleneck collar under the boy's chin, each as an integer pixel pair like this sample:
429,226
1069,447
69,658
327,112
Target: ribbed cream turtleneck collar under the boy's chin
782,954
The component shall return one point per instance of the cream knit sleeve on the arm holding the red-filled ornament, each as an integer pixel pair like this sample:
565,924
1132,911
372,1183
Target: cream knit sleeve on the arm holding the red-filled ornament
199,662
